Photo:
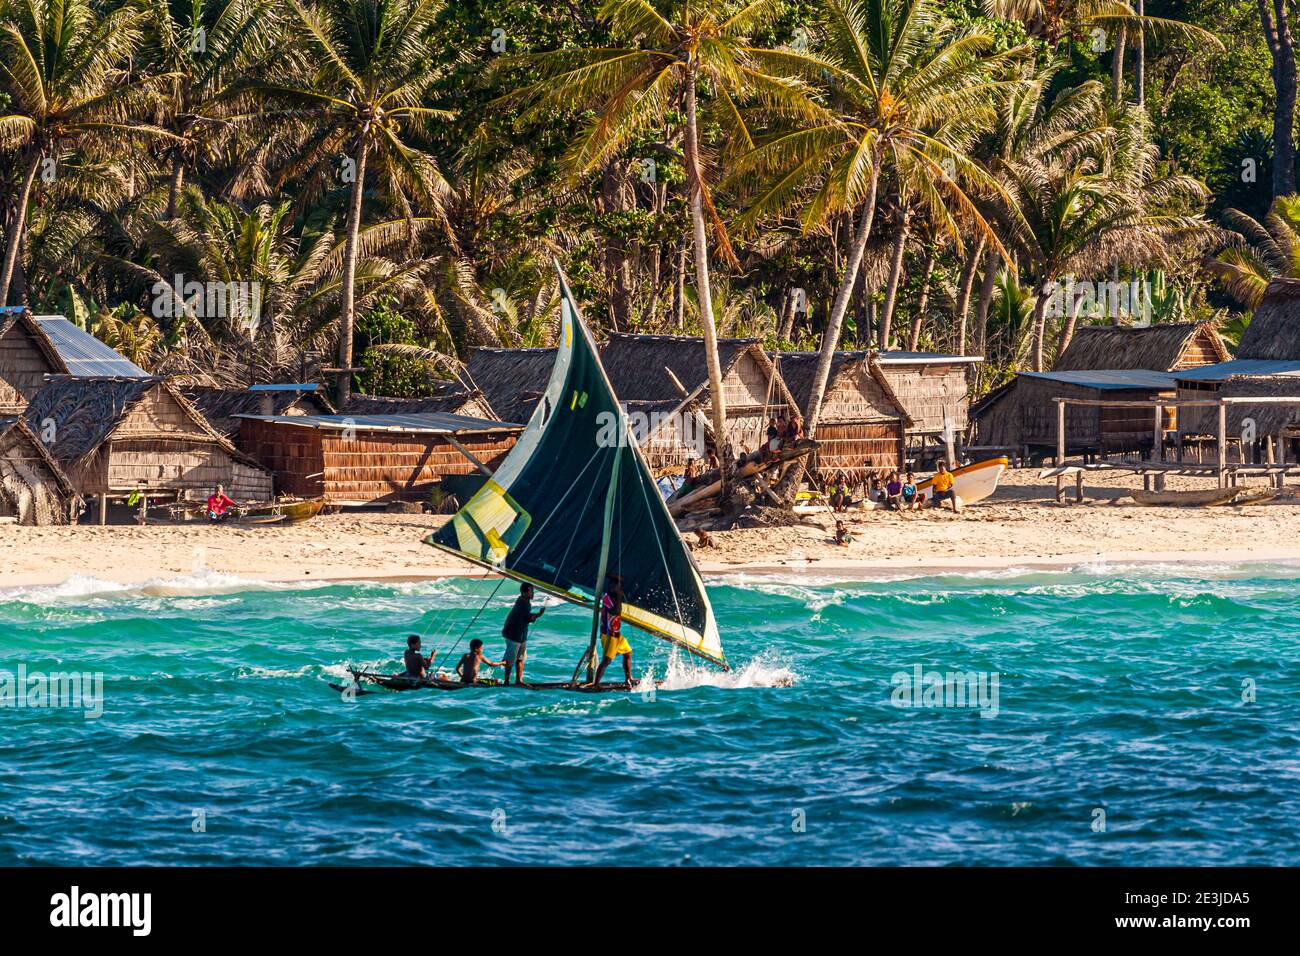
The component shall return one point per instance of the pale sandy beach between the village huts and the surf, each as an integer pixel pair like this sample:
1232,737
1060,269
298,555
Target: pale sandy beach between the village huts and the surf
1022,526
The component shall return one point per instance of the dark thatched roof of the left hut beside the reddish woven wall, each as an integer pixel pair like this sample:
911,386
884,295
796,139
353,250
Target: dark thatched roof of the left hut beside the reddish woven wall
86,413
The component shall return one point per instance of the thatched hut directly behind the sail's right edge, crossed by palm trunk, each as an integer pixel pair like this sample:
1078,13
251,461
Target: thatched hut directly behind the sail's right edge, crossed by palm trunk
666,379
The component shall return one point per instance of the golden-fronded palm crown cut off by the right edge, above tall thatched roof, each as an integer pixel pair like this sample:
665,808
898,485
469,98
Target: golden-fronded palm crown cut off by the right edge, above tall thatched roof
1258,252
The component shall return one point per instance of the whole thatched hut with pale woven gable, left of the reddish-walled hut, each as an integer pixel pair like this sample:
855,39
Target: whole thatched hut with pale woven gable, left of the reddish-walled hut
116,436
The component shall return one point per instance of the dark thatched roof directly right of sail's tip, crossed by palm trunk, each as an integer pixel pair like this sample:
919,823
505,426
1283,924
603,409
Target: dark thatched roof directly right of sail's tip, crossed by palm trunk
636,365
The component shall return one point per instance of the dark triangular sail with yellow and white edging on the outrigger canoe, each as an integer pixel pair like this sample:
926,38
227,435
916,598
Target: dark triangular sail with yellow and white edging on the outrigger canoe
543,517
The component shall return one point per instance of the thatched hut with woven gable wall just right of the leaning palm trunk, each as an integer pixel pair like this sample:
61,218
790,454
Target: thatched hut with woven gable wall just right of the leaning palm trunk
863,423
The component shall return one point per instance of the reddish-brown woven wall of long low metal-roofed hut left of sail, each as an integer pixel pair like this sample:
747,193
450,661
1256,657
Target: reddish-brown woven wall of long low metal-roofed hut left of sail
369,468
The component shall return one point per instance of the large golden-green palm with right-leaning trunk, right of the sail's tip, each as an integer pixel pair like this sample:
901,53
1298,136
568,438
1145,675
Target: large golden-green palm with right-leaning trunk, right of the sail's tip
908,96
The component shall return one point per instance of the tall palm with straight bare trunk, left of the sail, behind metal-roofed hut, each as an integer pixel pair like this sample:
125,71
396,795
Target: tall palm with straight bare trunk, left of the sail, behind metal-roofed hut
376,63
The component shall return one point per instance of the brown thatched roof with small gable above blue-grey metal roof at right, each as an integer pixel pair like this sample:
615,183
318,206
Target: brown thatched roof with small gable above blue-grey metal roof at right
1156,348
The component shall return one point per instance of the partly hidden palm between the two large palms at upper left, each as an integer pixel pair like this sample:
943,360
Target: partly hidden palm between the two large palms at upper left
202,49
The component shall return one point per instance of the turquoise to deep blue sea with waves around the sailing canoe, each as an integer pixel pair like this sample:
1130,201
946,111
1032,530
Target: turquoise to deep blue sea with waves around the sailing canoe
1120,693
